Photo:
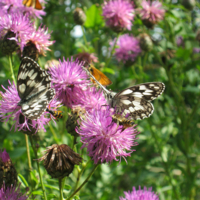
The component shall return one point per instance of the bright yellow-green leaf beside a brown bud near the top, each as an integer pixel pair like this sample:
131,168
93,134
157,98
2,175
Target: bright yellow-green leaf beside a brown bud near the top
94,17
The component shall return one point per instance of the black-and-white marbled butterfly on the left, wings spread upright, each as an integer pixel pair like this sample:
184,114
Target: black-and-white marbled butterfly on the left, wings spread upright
34,89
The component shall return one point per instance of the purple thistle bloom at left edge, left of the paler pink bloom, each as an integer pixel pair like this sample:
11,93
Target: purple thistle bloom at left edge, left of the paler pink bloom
18,24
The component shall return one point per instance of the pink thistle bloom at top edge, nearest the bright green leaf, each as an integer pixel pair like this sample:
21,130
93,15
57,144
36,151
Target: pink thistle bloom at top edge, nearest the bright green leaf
118,14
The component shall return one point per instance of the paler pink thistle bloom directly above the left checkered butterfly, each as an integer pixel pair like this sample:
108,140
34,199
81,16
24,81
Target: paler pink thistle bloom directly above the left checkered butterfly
40,38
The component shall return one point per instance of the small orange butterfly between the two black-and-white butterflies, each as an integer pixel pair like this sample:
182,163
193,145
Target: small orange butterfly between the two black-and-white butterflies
99,76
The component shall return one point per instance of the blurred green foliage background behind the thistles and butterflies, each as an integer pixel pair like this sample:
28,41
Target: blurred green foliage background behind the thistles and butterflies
168,155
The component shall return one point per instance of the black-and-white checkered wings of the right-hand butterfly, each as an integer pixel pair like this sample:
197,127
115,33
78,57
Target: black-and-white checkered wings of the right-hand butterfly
135,101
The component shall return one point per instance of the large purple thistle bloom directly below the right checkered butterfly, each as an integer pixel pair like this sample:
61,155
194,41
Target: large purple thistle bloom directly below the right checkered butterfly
104,139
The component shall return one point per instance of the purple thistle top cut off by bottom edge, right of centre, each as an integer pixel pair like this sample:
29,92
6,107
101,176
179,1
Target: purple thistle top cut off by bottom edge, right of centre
141,194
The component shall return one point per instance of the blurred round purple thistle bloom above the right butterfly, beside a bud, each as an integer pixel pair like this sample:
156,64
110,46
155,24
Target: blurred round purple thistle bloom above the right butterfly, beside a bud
128,48
